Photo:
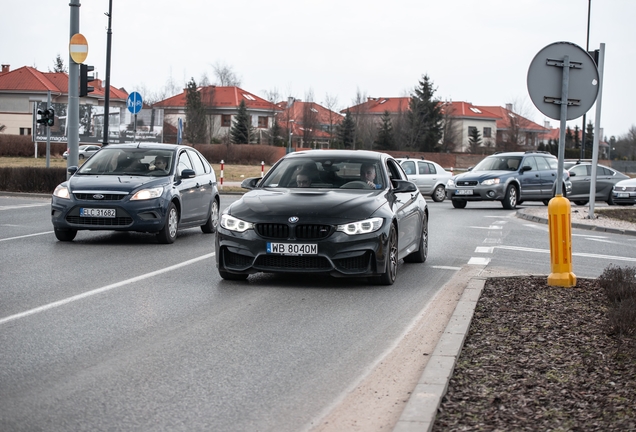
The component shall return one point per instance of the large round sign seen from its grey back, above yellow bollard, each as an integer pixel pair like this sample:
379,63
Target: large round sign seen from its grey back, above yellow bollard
545,80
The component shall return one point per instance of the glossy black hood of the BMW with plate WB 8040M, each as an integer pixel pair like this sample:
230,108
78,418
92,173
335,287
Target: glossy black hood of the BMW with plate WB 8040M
312,205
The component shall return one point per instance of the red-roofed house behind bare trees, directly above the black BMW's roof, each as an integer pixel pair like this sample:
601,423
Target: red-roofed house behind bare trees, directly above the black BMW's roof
307,124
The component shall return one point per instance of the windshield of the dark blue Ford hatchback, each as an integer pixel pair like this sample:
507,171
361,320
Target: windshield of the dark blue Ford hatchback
133,161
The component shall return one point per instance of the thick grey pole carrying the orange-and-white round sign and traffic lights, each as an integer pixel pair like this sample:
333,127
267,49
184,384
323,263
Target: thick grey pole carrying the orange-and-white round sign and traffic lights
73,93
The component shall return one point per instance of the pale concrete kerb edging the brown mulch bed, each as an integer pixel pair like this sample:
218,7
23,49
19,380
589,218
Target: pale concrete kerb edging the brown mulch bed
421,409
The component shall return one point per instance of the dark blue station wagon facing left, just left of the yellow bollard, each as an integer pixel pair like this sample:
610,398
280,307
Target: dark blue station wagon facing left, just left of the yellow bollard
511,178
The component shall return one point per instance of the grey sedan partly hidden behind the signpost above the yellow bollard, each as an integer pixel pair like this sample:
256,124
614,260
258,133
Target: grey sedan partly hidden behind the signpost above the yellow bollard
581,178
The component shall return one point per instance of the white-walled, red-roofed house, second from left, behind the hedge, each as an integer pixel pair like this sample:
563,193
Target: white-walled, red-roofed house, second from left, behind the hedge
221,105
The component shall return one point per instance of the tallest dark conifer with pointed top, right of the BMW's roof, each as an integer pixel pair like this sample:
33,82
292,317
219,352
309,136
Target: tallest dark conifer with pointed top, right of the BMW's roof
425,118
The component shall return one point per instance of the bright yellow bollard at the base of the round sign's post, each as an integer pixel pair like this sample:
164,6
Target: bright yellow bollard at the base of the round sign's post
560,231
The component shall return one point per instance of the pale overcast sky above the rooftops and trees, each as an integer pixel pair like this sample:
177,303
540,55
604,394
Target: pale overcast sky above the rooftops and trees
477,51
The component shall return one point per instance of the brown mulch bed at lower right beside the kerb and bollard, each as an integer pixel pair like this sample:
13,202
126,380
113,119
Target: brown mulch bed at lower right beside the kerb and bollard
541,358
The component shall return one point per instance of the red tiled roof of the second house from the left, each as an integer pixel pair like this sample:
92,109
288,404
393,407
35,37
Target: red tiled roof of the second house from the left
221,97
